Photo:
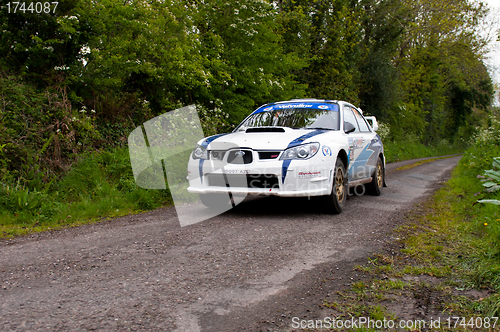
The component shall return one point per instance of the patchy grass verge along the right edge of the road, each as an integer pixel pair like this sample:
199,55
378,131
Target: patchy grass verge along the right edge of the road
443,261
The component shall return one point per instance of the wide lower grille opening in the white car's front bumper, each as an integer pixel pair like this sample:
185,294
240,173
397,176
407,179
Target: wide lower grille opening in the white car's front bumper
262,181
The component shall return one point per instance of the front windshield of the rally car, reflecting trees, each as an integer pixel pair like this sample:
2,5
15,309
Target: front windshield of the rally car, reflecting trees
296,118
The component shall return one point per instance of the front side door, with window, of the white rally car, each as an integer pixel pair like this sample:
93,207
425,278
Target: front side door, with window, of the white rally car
357,144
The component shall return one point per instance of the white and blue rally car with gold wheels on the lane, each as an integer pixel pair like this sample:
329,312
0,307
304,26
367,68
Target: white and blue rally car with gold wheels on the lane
302,147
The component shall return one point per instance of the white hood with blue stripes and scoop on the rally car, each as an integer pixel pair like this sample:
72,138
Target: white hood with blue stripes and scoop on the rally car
262,140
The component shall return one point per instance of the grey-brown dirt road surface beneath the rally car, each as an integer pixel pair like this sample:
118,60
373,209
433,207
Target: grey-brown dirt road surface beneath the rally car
250,269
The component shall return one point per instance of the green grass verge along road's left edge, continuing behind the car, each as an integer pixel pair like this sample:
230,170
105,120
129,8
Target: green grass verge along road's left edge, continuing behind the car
101,186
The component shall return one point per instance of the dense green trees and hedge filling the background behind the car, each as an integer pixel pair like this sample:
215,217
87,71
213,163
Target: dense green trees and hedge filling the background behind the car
81,78
